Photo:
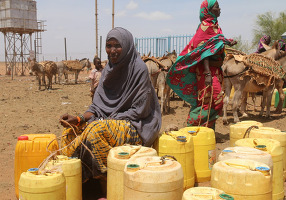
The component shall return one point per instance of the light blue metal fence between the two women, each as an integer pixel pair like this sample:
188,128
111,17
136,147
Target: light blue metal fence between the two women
159,45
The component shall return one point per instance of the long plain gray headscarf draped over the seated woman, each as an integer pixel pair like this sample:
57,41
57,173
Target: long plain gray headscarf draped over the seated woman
125,91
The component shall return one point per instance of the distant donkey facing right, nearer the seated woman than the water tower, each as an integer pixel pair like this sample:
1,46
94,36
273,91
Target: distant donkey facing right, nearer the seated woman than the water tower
72,67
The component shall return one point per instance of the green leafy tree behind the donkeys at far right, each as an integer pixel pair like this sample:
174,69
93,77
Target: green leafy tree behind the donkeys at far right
269,24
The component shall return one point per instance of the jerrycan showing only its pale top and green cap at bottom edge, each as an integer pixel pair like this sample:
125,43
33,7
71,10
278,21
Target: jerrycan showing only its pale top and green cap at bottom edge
205,193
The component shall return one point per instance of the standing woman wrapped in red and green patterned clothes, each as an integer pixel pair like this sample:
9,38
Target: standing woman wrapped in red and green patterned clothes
196,76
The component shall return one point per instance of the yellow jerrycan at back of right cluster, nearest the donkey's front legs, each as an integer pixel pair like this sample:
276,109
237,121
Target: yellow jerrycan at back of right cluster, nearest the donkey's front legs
237,131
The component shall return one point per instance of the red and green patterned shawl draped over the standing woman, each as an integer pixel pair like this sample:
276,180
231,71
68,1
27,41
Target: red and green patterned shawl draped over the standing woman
207,42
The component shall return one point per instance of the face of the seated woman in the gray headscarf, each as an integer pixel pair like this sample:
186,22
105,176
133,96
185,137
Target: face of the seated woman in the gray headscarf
113,50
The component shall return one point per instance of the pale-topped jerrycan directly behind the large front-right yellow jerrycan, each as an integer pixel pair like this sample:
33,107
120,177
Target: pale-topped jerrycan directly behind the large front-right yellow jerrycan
246,153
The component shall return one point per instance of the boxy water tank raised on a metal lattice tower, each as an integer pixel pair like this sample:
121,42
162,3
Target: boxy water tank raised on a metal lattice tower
18,21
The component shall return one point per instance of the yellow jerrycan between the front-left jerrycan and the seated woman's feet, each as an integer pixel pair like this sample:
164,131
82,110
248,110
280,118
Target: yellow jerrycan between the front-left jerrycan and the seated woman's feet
71,168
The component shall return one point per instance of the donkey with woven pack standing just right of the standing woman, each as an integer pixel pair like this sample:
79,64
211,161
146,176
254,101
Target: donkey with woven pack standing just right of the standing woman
234,71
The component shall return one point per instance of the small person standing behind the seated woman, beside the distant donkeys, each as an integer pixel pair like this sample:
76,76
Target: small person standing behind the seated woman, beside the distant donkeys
95,75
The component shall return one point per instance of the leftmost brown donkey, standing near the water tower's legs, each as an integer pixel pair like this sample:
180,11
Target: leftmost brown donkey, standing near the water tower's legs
42,69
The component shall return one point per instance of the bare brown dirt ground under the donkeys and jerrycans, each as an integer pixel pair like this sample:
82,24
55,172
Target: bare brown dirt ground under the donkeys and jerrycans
26,110
